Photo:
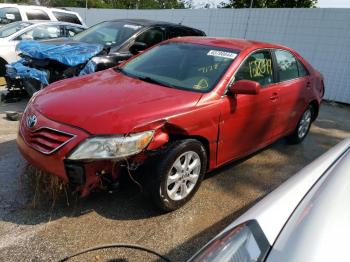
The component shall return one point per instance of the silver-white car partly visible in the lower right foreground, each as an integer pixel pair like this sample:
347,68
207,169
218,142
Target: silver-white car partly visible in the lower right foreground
305,219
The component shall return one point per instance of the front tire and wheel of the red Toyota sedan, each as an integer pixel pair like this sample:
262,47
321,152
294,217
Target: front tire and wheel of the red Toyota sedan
178,174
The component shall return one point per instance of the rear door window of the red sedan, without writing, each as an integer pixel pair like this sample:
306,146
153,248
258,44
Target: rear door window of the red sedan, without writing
287,68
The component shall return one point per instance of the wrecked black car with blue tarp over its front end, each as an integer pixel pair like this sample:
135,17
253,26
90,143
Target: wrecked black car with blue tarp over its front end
100,47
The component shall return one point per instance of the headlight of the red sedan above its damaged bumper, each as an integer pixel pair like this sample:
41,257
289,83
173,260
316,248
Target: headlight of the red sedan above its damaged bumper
111,147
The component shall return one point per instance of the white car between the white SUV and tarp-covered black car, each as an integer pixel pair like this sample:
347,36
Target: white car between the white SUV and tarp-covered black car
12,34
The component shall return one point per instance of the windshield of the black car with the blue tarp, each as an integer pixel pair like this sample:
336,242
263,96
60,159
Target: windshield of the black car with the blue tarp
108,33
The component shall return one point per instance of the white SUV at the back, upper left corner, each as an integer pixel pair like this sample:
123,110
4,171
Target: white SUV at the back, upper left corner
12,13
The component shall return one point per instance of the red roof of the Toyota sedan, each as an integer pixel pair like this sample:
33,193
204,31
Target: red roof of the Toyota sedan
232,43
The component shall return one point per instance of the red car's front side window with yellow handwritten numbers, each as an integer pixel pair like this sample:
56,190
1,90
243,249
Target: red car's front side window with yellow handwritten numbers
257,67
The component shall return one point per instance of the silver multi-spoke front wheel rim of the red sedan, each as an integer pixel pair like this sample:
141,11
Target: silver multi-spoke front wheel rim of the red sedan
183,175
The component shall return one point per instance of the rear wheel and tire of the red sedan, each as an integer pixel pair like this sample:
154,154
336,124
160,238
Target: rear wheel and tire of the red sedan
302,128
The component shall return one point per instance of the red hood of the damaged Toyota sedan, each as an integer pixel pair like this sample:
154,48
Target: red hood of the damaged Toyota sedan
108,102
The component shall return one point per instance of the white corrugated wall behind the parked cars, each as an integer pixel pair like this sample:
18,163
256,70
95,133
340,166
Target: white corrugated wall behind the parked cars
322,36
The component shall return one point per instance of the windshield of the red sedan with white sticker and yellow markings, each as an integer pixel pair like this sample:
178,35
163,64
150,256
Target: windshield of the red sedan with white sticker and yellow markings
182,65
